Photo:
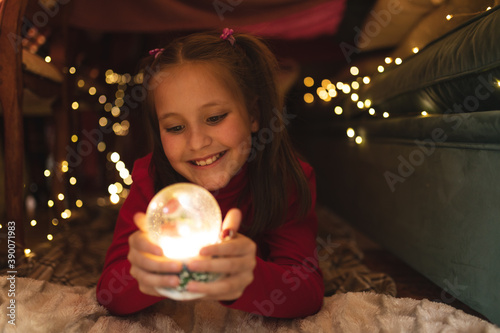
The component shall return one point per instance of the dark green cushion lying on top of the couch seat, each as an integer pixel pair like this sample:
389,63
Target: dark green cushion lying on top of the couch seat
458,72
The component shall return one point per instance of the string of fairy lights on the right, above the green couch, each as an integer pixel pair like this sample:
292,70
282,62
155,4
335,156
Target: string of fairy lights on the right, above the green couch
327,91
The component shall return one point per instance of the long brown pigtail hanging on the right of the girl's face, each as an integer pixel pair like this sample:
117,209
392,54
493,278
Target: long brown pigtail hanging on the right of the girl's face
274,172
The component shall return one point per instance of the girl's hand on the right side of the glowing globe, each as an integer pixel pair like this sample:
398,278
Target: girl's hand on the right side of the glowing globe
235,258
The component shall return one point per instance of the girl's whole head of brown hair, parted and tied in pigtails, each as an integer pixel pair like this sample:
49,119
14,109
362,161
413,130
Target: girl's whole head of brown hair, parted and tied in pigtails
273,169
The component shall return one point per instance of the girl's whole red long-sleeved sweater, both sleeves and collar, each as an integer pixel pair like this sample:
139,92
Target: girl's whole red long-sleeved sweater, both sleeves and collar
287,280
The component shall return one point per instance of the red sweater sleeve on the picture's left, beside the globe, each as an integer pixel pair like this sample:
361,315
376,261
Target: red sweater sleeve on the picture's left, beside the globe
117,290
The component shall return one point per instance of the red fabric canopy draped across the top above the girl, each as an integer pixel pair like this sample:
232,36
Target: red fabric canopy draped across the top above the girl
286,19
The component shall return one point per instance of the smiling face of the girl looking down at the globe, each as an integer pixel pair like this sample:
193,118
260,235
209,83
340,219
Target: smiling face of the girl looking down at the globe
205,129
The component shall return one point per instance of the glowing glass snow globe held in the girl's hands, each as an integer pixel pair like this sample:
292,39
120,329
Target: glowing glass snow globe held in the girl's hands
182,218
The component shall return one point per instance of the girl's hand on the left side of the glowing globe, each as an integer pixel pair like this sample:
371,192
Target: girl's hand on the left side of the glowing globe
149,266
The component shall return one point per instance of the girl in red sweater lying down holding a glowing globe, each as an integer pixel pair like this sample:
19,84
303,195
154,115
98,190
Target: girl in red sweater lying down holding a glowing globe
218,121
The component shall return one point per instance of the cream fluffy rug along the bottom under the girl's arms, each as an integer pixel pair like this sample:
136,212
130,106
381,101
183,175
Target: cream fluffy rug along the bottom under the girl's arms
47,307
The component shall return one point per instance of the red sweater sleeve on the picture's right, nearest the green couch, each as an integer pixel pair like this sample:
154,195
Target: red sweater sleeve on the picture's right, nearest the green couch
289,283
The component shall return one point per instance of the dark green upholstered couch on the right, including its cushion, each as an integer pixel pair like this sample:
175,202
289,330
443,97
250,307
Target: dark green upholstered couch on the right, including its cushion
428,187
